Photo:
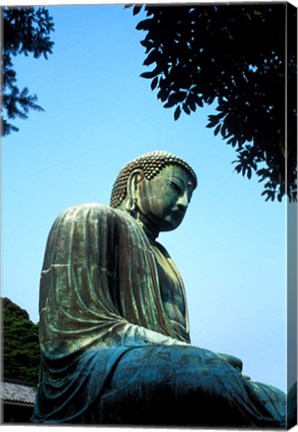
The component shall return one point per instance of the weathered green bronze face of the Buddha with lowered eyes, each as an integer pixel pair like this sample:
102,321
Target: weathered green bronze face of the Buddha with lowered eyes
163,200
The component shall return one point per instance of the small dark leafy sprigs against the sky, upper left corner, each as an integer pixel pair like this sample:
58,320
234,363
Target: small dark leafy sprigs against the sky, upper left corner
25,31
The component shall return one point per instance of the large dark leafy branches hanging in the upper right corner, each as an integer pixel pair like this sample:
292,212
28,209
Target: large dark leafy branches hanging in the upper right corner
234,55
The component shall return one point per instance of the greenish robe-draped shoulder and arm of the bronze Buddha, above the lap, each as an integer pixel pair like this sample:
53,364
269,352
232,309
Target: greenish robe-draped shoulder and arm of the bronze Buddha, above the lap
92,285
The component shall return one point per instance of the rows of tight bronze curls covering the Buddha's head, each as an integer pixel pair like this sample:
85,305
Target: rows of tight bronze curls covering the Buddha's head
151,164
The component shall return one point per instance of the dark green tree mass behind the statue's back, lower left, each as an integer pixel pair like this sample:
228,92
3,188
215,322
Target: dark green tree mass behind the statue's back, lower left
21,355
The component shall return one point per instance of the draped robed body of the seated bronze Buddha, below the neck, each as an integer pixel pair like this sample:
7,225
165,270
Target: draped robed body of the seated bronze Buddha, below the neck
111,349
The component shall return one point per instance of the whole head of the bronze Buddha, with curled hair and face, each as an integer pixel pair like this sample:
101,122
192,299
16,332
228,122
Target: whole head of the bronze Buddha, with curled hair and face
155,188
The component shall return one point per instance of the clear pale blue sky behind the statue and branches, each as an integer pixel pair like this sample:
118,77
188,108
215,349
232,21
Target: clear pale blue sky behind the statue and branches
99,114
